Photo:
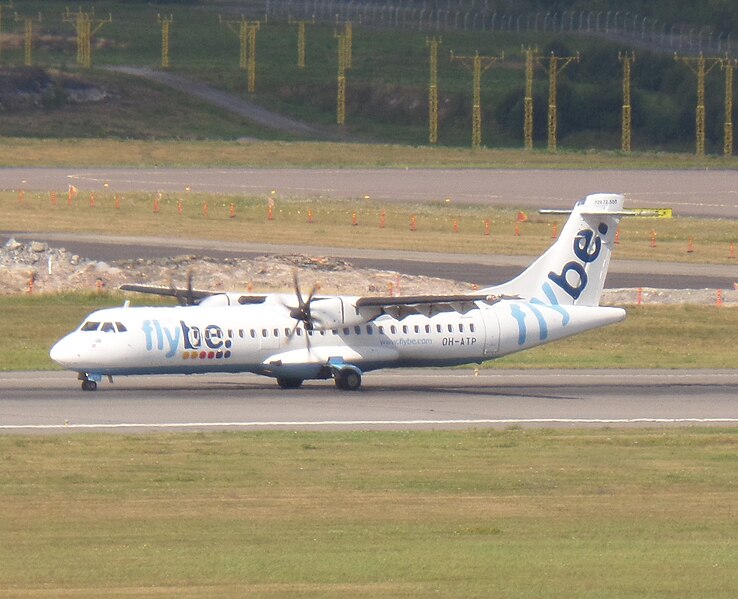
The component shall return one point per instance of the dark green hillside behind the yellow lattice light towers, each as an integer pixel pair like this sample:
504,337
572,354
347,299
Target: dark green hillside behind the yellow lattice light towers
386,86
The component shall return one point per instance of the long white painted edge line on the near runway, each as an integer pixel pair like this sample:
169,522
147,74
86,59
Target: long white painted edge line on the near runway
311,423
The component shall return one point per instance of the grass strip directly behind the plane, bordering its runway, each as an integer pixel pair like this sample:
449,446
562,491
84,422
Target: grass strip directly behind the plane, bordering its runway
651,336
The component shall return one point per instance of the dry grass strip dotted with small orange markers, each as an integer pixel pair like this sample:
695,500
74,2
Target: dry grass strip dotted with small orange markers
332,219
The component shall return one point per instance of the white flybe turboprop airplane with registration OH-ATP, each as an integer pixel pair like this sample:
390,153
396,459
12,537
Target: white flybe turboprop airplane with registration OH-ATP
294,338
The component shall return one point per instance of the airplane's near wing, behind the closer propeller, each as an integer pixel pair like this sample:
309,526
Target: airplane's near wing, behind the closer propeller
428,305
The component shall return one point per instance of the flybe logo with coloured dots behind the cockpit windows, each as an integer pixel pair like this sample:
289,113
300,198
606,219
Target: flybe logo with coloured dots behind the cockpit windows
205,344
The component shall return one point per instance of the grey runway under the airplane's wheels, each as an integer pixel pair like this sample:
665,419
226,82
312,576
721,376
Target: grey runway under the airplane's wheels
52,402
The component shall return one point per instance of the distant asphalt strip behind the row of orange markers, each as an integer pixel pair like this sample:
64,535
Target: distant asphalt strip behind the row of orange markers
708,193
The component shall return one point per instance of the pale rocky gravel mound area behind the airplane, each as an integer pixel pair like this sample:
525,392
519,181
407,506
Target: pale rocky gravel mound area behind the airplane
34,266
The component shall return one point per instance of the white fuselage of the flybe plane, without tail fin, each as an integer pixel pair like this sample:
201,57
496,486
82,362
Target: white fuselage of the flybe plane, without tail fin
263,338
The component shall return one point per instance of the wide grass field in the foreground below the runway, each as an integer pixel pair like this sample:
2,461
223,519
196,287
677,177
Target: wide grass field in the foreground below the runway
517,513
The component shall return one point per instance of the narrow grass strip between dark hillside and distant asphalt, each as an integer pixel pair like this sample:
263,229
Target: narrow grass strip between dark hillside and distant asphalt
73,151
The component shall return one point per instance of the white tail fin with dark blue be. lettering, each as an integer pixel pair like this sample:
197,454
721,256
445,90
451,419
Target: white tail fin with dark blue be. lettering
573,270
